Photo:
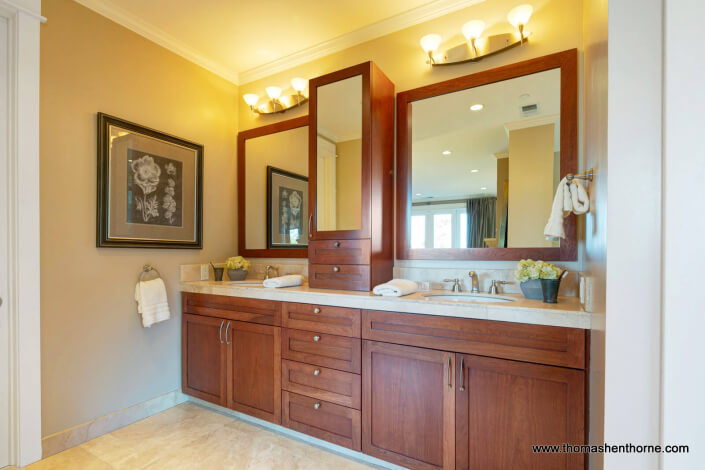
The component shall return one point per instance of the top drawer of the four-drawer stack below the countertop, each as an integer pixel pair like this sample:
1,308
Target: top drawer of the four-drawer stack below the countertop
321,318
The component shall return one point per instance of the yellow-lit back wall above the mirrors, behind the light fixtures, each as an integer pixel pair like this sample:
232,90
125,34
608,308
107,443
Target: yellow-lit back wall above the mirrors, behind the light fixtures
556,26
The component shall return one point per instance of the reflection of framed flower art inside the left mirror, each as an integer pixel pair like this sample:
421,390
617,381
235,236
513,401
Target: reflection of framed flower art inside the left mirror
287,209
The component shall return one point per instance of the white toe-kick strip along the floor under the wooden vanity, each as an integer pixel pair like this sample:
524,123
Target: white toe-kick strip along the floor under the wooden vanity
344,451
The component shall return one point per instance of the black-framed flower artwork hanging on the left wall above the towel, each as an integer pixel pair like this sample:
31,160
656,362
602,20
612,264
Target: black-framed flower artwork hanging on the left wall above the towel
150,187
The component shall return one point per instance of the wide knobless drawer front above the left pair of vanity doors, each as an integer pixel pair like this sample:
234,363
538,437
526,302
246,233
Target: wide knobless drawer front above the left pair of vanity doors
266,312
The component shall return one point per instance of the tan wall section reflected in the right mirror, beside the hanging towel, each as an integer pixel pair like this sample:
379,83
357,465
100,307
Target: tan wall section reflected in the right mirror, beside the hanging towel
530,185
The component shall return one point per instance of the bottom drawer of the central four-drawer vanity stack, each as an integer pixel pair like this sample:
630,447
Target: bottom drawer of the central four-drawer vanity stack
321,419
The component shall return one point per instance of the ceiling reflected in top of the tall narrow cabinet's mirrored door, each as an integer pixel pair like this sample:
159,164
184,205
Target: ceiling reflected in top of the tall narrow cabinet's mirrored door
339,110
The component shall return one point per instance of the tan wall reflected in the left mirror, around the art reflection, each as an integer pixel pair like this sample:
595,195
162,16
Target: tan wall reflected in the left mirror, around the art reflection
286,150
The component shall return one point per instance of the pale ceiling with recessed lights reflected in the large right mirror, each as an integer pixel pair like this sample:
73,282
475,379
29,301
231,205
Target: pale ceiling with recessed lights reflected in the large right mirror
446,123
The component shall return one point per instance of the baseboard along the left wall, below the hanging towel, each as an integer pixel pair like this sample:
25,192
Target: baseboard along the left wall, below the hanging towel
81,433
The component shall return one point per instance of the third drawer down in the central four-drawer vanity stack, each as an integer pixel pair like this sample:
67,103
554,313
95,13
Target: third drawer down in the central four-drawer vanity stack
342,388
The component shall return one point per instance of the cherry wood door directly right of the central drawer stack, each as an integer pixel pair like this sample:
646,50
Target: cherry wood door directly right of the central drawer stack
408,405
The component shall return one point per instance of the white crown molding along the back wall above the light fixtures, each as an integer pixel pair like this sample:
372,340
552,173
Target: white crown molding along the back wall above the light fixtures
389,25
